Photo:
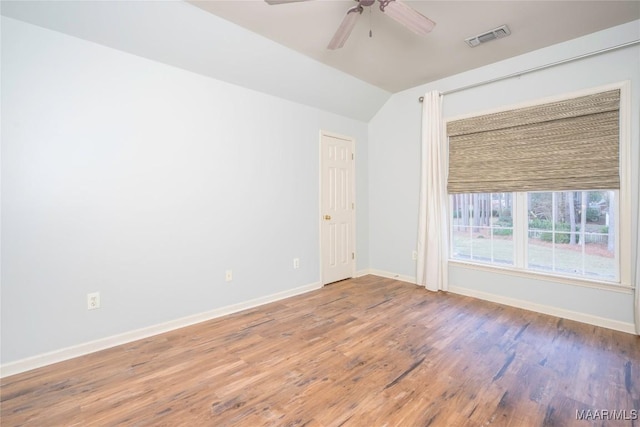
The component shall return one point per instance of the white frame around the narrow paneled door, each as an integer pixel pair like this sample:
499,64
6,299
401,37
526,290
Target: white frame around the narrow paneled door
352,143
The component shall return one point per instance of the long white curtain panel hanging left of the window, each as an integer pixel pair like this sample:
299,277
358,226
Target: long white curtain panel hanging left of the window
433,229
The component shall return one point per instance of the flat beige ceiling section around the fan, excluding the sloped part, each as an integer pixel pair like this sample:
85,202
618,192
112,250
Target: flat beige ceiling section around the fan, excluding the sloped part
395,59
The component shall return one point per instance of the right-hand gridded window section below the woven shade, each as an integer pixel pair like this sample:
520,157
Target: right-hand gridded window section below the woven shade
571,233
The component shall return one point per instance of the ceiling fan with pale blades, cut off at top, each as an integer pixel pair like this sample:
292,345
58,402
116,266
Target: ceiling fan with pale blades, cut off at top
395,9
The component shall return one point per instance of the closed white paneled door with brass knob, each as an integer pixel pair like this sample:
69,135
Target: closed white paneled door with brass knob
337,207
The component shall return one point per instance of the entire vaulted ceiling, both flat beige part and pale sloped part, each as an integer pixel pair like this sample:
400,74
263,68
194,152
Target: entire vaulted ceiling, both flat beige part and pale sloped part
281,49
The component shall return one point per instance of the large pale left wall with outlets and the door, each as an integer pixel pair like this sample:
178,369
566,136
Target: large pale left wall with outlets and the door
146,182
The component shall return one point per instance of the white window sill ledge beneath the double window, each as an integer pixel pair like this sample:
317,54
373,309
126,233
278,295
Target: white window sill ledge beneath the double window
573,281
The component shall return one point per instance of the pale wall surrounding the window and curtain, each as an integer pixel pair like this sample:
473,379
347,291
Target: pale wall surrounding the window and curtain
394,139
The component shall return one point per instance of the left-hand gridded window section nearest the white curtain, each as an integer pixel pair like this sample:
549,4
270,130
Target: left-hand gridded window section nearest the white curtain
482,228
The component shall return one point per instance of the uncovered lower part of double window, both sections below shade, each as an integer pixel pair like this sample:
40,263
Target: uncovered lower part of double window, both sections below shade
568,233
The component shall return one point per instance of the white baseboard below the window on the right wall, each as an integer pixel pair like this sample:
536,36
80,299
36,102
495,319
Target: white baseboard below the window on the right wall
546,309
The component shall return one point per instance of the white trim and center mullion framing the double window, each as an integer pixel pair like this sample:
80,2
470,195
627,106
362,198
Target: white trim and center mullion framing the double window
623,218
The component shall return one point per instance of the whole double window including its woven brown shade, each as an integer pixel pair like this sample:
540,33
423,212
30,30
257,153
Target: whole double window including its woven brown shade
544,188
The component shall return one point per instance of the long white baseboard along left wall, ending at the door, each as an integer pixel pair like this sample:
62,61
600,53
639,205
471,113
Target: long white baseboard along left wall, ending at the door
114,340
